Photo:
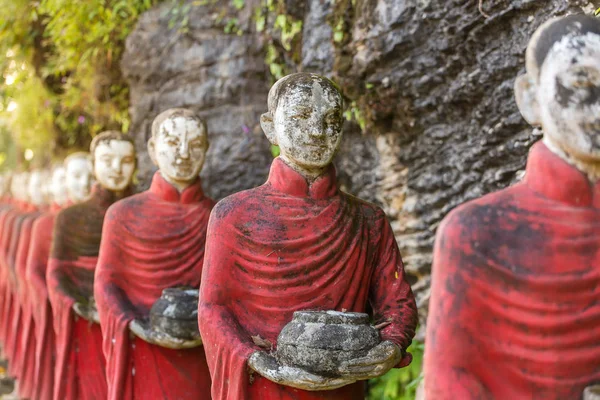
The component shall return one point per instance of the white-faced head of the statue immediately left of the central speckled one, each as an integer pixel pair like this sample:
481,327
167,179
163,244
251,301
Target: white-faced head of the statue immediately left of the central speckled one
178,146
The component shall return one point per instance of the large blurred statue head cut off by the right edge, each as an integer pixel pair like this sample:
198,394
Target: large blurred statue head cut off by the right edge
561,90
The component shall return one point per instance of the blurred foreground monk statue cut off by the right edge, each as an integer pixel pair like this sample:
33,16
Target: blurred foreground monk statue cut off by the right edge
515,303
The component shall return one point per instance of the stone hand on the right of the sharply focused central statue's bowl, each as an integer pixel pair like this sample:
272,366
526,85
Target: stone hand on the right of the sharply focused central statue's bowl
379,360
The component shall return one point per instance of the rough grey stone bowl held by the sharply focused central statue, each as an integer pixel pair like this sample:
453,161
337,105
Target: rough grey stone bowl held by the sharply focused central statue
318,341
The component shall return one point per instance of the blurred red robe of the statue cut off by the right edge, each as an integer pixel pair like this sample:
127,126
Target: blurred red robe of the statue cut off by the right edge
515,310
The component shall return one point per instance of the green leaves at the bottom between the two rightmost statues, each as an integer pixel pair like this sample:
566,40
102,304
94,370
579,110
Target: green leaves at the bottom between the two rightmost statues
400,384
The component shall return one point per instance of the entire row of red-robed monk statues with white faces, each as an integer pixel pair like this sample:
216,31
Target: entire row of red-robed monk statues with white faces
302,292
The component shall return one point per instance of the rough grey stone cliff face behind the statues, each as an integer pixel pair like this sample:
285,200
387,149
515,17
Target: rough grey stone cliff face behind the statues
428,83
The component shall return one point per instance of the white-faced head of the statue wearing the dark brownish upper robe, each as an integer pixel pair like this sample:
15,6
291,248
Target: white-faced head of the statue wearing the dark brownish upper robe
113,159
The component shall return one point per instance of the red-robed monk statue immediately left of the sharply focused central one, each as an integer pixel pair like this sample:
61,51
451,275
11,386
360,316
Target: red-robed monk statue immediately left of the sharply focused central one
153,245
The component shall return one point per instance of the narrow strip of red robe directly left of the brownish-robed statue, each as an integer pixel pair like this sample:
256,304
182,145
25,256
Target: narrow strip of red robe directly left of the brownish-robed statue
37,261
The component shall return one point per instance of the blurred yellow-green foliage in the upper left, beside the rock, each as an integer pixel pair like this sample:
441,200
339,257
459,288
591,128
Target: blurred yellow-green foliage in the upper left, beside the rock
59,60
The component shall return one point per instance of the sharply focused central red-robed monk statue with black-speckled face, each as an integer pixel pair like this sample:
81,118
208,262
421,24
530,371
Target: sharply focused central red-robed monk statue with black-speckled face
298,243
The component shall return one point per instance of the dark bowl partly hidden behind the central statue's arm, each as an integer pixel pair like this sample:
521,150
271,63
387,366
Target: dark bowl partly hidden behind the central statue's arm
176,313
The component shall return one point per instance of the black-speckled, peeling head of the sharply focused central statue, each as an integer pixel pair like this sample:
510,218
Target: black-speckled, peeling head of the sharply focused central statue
304,119
